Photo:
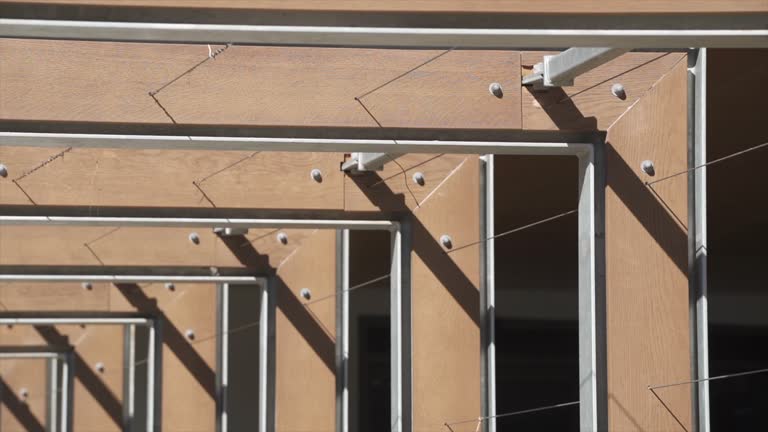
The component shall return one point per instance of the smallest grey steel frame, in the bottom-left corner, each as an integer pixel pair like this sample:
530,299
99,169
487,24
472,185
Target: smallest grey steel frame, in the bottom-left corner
60,391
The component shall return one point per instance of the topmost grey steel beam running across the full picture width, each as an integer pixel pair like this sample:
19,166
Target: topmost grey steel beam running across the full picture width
380,37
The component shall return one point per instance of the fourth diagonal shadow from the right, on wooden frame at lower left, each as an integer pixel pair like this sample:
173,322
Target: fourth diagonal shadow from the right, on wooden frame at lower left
172,337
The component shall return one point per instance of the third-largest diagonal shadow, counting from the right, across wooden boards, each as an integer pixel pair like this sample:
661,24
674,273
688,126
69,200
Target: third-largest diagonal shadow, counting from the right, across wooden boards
300,316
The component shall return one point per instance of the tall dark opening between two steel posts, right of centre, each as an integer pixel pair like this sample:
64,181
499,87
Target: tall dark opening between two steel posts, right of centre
537,351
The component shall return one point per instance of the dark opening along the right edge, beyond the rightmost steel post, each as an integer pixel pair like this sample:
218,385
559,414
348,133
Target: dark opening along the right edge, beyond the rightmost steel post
737,210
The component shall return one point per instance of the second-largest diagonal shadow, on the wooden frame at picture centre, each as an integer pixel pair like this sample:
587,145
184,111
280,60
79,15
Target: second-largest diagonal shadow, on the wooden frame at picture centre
426,247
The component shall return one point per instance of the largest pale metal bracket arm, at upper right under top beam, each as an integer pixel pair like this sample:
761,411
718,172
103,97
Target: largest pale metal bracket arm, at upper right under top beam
561,69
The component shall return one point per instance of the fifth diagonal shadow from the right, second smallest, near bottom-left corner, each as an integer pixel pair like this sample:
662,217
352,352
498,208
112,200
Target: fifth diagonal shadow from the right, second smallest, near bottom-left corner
95,386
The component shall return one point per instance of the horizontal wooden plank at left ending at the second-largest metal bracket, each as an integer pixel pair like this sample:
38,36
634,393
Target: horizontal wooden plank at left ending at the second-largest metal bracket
170,178
